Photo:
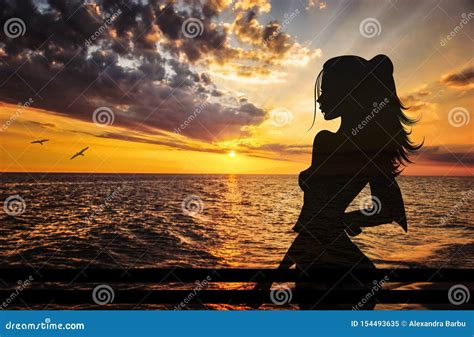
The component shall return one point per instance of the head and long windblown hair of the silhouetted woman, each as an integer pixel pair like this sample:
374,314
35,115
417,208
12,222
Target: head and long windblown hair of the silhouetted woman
364,94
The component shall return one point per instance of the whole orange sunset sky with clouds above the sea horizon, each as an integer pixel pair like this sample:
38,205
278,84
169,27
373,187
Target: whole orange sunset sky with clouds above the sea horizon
219,86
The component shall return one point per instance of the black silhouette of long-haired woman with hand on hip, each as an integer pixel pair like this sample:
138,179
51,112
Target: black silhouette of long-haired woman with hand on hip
370,147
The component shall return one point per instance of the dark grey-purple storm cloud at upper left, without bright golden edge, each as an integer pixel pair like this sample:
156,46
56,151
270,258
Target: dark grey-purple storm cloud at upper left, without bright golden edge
148,88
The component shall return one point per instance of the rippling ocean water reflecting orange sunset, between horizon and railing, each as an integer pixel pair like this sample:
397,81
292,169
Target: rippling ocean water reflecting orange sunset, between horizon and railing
132,221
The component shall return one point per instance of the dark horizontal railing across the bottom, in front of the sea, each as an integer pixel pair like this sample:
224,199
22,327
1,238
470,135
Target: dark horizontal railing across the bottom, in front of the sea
51,279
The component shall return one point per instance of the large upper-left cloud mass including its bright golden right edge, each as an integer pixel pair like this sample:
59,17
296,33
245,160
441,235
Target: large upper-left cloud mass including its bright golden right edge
142,65
